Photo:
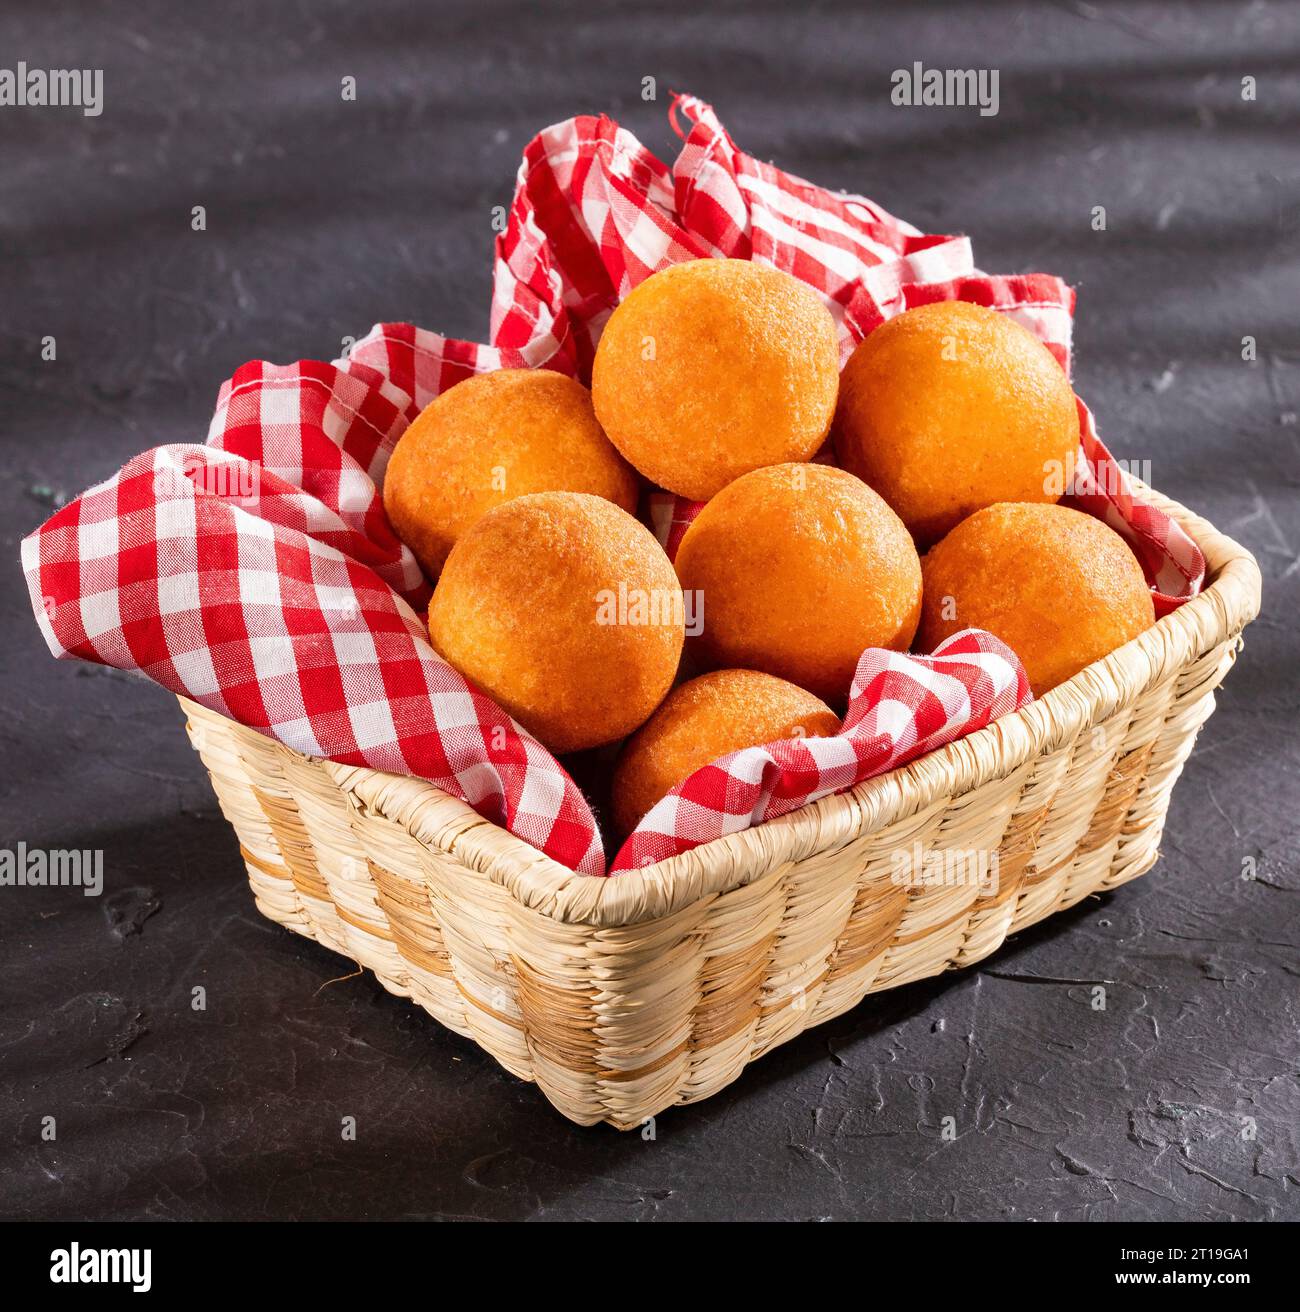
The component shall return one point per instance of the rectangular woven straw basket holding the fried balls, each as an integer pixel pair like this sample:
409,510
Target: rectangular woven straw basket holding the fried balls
625,996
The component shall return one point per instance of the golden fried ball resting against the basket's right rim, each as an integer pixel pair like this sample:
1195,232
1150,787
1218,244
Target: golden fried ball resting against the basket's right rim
1059,587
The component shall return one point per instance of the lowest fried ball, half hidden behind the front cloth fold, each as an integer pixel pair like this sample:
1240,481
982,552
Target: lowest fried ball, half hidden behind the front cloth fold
700,722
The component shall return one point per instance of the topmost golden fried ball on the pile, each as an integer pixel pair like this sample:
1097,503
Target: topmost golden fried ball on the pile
716,368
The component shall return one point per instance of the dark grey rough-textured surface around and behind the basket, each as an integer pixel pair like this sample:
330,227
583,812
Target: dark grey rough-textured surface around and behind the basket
325,217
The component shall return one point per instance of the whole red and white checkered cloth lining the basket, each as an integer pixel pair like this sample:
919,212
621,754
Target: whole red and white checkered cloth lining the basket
259,577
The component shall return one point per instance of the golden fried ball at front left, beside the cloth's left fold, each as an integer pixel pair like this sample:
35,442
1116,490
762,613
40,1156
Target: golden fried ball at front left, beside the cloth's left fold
566,612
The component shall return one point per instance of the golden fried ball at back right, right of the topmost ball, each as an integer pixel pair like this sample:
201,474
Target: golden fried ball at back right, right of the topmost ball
950,409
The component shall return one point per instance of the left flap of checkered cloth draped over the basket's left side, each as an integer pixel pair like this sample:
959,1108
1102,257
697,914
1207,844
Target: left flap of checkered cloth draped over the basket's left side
259,577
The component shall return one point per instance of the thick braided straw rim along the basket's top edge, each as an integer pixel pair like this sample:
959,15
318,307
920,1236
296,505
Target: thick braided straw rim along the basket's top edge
440,822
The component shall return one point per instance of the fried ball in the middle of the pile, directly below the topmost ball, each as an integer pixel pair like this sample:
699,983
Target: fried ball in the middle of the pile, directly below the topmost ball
801,567
